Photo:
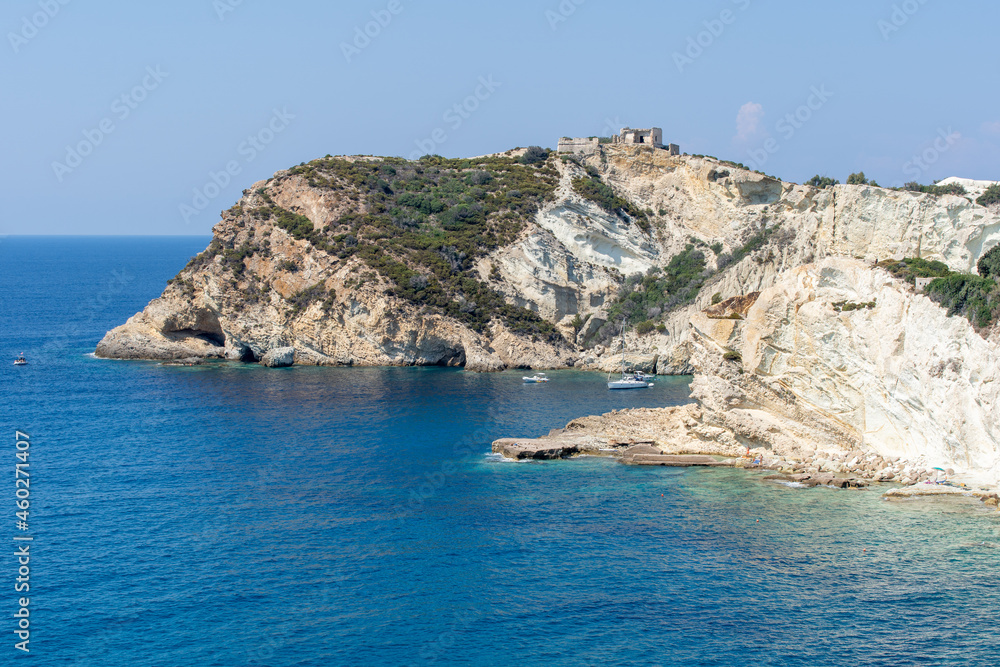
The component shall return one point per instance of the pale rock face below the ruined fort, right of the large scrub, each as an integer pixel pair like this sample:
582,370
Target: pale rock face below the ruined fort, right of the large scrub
572,261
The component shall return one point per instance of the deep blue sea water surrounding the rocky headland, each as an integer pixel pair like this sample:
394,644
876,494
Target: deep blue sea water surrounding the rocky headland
231,515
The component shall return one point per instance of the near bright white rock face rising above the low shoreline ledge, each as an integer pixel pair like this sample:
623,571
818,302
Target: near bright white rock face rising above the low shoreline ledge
900,379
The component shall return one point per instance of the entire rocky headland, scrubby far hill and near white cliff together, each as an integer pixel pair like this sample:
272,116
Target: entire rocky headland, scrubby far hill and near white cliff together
796,308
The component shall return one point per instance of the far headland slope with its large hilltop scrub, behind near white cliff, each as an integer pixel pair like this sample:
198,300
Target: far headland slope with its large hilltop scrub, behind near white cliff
347,261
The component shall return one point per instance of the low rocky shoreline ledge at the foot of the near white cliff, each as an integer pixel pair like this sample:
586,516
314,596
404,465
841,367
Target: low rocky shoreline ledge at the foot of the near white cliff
674,437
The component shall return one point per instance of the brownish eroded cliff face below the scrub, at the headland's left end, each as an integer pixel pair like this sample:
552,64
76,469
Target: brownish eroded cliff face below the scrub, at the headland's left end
205,315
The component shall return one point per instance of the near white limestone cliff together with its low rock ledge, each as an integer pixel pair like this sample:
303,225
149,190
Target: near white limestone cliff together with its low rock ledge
837,369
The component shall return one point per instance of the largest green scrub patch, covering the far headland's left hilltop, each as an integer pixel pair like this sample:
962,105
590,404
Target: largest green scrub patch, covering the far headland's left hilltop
422,225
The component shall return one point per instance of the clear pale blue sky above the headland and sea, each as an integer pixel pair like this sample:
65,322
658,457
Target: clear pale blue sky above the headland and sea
124,117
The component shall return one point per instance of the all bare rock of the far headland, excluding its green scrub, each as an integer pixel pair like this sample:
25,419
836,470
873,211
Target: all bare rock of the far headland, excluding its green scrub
569,261
